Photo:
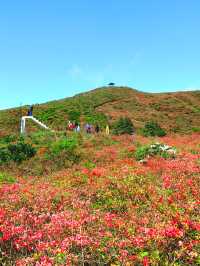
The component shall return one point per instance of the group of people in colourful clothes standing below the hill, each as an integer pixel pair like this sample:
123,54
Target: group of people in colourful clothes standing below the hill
88,128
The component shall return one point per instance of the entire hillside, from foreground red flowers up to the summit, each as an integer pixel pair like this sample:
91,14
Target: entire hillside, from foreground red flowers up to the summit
97,199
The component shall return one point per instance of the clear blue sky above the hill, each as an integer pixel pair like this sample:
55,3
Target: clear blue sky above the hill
50,49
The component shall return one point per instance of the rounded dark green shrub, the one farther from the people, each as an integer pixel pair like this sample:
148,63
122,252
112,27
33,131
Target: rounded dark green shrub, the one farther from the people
152,128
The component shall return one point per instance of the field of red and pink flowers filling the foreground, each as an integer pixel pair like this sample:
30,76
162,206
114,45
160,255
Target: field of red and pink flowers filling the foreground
109,210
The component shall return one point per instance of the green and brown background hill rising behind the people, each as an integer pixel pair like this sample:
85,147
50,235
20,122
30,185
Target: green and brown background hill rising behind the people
176,112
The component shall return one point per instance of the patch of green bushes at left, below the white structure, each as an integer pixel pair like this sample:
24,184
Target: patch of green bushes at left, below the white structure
54,152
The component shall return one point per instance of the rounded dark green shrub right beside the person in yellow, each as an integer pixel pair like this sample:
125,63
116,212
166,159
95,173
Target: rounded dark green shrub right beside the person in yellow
123,126
